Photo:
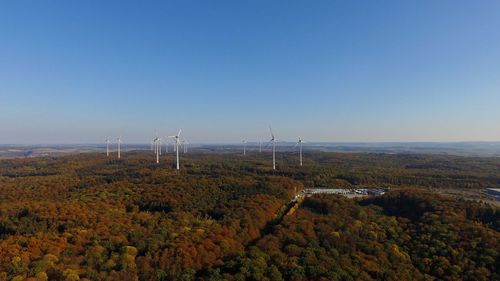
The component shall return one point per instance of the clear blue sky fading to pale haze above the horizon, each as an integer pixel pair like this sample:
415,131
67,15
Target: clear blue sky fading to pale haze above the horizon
77,71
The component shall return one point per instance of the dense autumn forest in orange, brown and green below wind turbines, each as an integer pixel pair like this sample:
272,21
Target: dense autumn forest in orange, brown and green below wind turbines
222,217
